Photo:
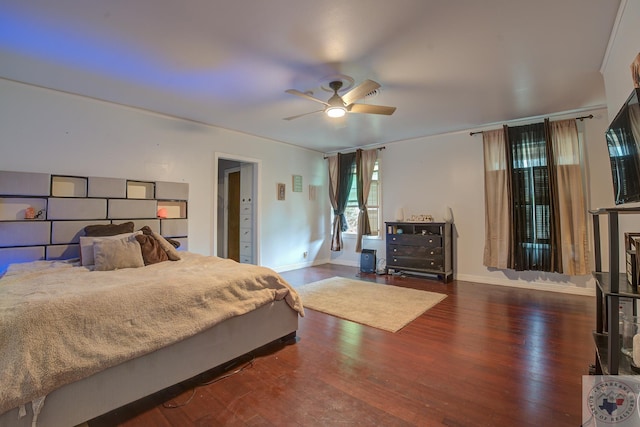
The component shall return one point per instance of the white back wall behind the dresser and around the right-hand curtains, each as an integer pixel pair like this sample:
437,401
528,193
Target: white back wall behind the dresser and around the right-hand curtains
426,175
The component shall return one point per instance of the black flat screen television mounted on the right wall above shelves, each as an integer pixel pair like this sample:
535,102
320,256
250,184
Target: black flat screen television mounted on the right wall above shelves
623,142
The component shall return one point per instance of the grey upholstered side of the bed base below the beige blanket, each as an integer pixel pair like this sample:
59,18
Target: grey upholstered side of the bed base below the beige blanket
119,385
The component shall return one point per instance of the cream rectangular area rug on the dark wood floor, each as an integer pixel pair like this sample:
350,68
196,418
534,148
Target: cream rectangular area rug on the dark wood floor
384,307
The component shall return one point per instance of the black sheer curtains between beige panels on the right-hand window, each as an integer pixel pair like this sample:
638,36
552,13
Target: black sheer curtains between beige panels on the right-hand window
534,232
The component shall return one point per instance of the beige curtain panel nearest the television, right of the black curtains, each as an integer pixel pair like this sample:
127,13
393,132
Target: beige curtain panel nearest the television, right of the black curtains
571,203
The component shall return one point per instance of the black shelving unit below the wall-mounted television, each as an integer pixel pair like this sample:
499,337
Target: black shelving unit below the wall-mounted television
610,287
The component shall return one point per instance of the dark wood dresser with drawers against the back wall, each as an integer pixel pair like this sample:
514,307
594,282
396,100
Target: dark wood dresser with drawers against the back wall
423,247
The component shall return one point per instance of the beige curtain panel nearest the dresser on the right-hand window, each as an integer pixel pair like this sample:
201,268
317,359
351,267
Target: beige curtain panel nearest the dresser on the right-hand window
496,200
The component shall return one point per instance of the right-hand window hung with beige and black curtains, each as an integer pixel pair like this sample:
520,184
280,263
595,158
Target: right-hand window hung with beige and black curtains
534,199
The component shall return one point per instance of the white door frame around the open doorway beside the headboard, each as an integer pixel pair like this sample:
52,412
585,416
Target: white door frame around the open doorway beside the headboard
257,197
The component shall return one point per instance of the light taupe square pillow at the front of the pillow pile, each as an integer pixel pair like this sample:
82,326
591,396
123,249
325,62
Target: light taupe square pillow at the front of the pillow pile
113,254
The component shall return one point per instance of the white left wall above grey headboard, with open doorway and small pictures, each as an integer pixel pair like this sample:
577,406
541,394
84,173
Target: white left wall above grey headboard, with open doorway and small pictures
53,132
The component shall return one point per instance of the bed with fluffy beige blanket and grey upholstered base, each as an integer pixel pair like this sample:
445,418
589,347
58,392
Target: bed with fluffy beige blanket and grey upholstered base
77,342
